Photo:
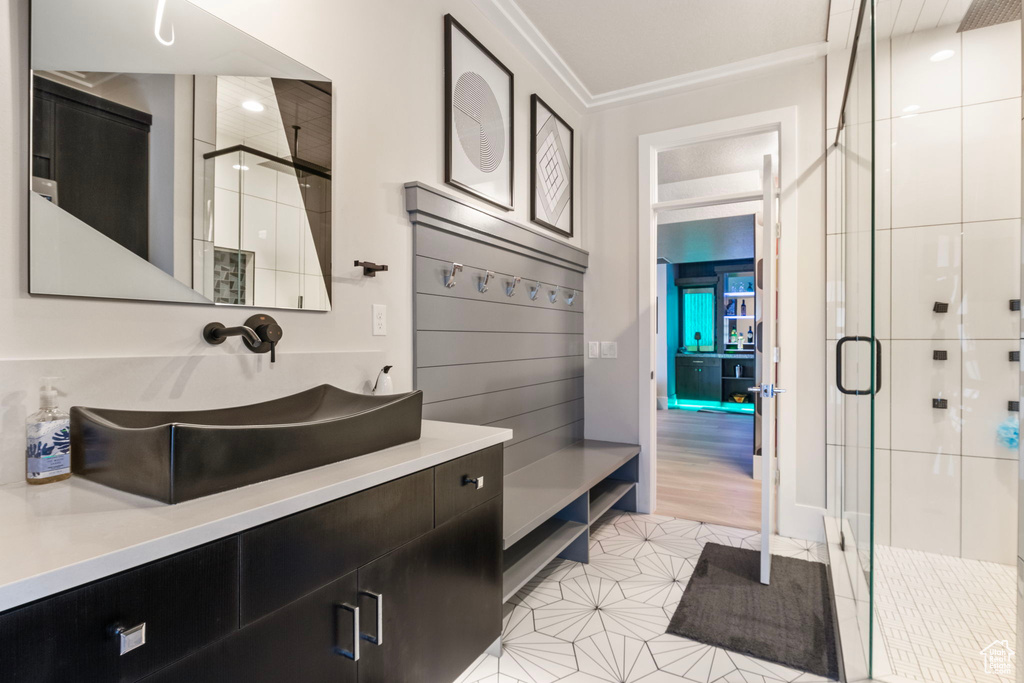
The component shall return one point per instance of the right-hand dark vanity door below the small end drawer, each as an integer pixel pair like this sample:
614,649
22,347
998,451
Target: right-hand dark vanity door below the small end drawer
441,599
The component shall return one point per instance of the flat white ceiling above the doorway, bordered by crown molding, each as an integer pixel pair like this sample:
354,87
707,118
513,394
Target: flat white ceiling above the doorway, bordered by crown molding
613,45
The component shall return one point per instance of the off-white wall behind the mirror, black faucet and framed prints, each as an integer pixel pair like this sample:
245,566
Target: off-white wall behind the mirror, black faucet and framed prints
386,60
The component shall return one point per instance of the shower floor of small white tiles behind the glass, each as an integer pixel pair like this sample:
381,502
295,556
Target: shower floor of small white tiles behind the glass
937,613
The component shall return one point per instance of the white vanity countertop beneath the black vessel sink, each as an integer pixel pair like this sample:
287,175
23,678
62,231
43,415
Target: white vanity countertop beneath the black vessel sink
63,535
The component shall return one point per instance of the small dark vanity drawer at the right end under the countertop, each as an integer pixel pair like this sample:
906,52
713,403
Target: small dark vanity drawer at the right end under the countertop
455,491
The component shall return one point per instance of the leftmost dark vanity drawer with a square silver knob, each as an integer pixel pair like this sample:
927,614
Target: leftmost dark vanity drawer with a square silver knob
186,602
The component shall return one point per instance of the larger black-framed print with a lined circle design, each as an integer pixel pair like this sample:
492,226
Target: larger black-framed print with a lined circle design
479,126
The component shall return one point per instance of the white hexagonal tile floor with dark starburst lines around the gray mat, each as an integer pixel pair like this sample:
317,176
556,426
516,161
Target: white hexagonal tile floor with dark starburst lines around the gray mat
605,622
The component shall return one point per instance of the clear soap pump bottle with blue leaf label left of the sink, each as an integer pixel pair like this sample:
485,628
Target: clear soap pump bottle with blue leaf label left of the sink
49,434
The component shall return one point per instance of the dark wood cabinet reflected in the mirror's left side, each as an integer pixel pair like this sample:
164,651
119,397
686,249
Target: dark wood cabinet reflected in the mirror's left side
99,154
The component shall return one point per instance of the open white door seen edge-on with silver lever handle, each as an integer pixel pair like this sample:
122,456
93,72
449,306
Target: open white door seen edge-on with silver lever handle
766,363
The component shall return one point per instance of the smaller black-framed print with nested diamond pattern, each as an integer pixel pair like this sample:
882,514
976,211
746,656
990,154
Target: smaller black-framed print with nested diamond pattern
550,169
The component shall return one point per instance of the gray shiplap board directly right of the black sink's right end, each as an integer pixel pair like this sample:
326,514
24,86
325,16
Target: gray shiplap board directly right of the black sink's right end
501,405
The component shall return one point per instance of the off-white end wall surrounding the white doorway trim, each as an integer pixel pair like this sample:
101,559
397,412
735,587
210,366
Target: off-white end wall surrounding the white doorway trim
612,238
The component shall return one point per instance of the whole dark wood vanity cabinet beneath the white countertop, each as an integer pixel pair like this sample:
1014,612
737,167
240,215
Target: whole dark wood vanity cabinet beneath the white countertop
278,603
